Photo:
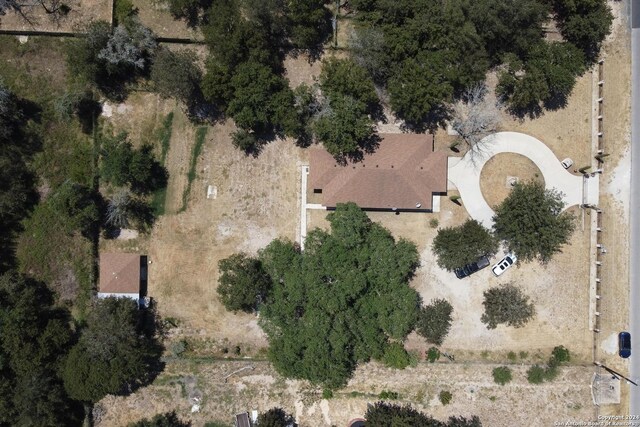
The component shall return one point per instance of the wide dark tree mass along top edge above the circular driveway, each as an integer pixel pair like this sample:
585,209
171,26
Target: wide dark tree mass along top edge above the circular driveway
426,52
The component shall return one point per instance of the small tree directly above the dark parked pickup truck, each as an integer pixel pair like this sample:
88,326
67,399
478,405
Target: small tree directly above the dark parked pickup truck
456,247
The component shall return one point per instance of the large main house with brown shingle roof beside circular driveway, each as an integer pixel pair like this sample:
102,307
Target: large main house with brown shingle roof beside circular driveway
403,174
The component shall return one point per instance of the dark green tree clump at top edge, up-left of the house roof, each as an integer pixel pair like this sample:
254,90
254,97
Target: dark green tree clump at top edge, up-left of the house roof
248,40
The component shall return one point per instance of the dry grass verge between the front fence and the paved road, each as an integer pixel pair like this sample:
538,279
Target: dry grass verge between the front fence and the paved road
614,200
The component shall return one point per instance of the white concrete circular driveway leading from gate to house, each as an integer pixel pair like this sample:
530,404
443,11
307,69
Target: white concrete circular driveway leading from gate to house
464,173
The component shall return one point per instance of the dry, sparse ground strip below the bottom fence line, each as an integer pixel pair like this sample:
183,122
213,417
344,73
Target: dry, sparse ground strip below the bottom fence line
260,388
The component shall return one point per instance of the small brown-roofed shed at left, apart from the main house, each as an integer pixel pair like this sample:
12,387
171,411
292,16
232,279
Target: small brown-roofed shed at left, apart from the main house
123,276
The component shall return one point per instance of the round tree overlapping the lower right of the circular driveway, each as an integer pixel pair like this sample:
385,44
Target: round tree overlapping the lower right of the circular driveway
531,223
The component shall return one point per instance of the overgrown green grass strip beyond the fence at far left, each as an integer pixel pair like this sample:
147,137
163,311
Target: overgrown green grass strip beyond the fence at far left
36,73
